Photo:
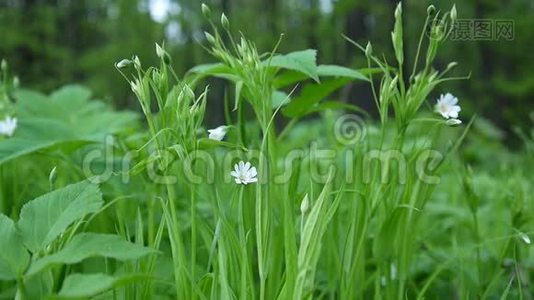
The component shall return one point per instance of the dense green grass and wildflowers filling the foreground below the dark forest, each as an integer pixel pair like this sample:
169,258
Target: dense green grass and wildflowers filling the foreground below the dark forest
410,206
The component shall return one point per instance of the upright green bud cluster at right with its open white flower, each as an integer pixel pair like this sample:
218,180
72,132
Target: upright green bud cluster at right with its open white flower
405,94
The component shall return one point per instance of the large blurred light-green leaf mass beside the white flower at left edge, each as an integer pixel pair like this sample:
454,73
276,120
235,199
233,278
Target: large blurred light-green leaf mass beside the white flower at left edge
66,117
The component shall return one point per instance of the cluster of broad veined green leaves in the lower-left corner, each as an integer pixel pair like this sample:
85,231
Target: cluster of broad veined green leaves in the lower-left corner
47,228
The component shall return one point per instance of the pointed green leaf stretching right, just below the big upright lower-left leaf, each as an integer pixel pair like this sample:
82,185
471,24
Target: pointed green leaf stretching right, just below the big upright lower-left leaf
85,245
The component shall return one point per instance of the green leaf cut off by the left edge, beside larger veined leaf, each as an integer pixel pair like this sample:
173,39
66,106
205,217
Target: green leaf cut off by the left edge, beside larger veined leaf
13,256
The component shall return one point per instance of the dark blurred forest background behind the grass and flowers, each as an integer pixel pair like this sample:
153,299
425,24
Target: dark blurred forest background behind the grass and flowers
49,43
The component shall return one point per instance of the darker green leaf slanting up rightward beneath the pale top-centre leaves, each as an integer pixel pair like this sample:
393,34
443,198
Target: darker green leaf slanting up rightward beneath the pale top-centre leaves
311,95
